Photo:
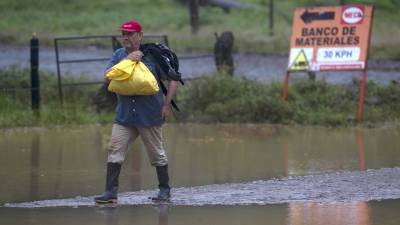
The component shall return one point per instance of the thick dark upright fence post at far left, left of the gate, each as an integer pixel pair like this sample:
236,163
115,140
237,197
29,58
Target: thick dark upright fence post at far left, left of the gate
35,83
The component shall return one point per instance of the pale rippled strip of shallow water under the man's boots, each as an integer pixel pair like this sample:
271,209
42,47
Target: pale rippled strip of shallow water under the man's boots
328,188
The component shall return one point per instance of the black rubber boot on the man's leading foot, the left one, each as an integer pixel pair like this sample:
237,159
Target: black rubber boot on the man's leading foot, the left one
110,195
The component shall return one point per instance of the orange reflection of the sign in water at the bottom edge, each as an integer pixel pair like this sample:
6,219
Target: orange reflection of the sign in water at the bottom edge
328,214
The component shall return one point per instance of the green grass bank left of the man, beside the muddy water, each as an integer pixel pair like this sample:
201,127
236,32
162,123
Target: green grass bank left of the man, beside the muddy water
15,106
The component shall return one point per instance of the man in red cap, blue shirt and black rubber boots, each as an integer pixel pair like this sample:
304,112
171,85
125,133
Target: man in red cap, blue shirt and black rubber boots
138,116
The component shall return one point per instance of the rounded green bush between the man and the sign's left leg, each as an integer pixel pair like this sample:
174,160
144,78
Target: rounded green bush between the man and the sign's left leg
222,98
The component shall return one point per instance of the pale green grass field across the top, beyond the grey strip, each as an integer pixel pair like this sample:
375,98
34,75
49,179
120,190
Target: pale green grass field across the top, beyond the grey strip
49,19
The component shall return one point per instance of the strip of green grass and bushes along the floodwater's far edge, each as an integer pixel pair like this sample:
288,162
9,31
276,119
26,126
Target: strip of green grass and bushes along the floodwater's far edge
210,99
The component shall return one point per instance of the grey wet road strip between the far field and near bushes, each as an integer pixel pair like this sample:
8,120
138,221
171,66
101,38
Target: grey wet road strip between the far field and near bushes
265,68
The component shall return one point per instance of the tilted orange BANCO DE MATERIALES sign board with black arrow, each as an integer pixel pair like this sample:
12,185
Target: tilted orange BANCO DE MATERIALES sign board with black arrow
330,38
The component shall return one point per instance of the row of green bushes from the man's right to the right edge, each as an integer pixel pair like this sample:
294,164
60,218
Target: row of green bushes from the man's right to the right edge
222,98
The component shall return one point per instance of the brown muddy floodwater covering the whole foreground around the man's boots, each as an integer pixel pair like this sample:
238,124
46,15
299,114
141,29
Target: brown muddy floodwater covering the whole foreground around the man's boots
55,163
